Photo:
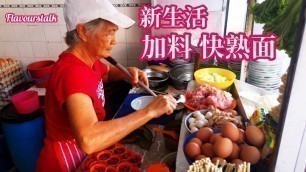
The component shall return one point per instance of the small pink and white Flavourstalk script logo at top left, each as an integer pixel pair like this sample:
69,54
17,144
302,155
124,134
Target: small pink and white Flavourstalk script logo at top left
42,18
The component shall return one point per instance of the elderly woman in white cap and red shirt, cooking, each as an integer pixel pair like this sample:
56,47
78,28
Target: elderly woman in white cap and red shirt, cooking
75,97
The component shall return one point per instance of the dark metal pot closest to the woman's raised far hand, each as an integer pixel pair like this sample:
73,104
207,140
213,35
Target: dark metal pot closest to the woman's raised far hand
157,79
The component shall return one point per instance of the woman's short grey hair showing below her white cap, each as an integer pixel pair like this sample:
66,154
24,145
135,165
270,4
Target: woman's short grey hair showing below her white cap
92,27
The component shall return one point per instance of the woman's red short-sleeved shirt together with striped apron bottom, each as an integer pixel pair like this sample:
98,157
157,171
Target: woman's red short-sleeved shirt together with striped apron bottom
69,75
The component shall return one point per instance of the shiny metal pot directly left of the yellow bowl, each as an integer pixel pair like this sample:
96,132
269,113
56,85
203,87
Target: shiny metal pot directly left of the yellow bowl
181,75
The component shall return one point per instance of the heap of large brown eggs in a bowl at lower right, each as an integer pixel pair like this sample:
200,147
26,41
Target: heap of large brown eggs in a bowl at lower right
230,145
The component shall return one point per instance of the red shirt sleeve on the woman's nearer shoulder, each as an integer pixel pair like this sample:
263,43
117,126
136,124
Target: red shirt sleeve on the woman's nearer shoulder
72,80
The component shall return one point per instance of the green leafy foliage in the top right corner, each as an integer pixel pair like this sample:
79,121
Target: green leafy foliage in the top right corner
281,18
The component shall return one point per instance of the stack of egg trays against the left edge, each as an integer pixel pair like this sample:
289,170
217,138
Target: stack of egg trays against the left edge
11,74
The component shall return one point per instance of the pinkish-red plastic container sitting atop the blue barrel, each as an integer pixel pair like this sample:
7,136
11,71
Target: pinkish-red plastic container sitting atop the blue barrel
26,102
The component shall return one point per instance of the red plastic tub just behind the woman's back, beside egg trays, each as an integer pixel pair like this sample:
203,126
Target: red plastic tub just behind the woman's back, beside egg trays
40,71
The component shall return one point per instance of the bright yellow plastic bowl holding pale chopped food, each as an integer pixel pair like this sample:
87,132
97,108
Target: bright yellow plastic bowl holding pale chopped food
230,77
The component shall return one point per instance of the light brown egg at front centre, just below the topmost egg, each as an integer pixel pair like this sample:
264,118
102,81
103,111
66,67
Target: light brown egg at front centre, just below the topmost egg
223,147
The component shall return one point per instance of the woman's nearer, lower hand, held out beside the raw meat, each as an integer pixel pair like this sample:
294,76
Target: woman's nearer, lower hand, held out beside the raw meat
162,104
